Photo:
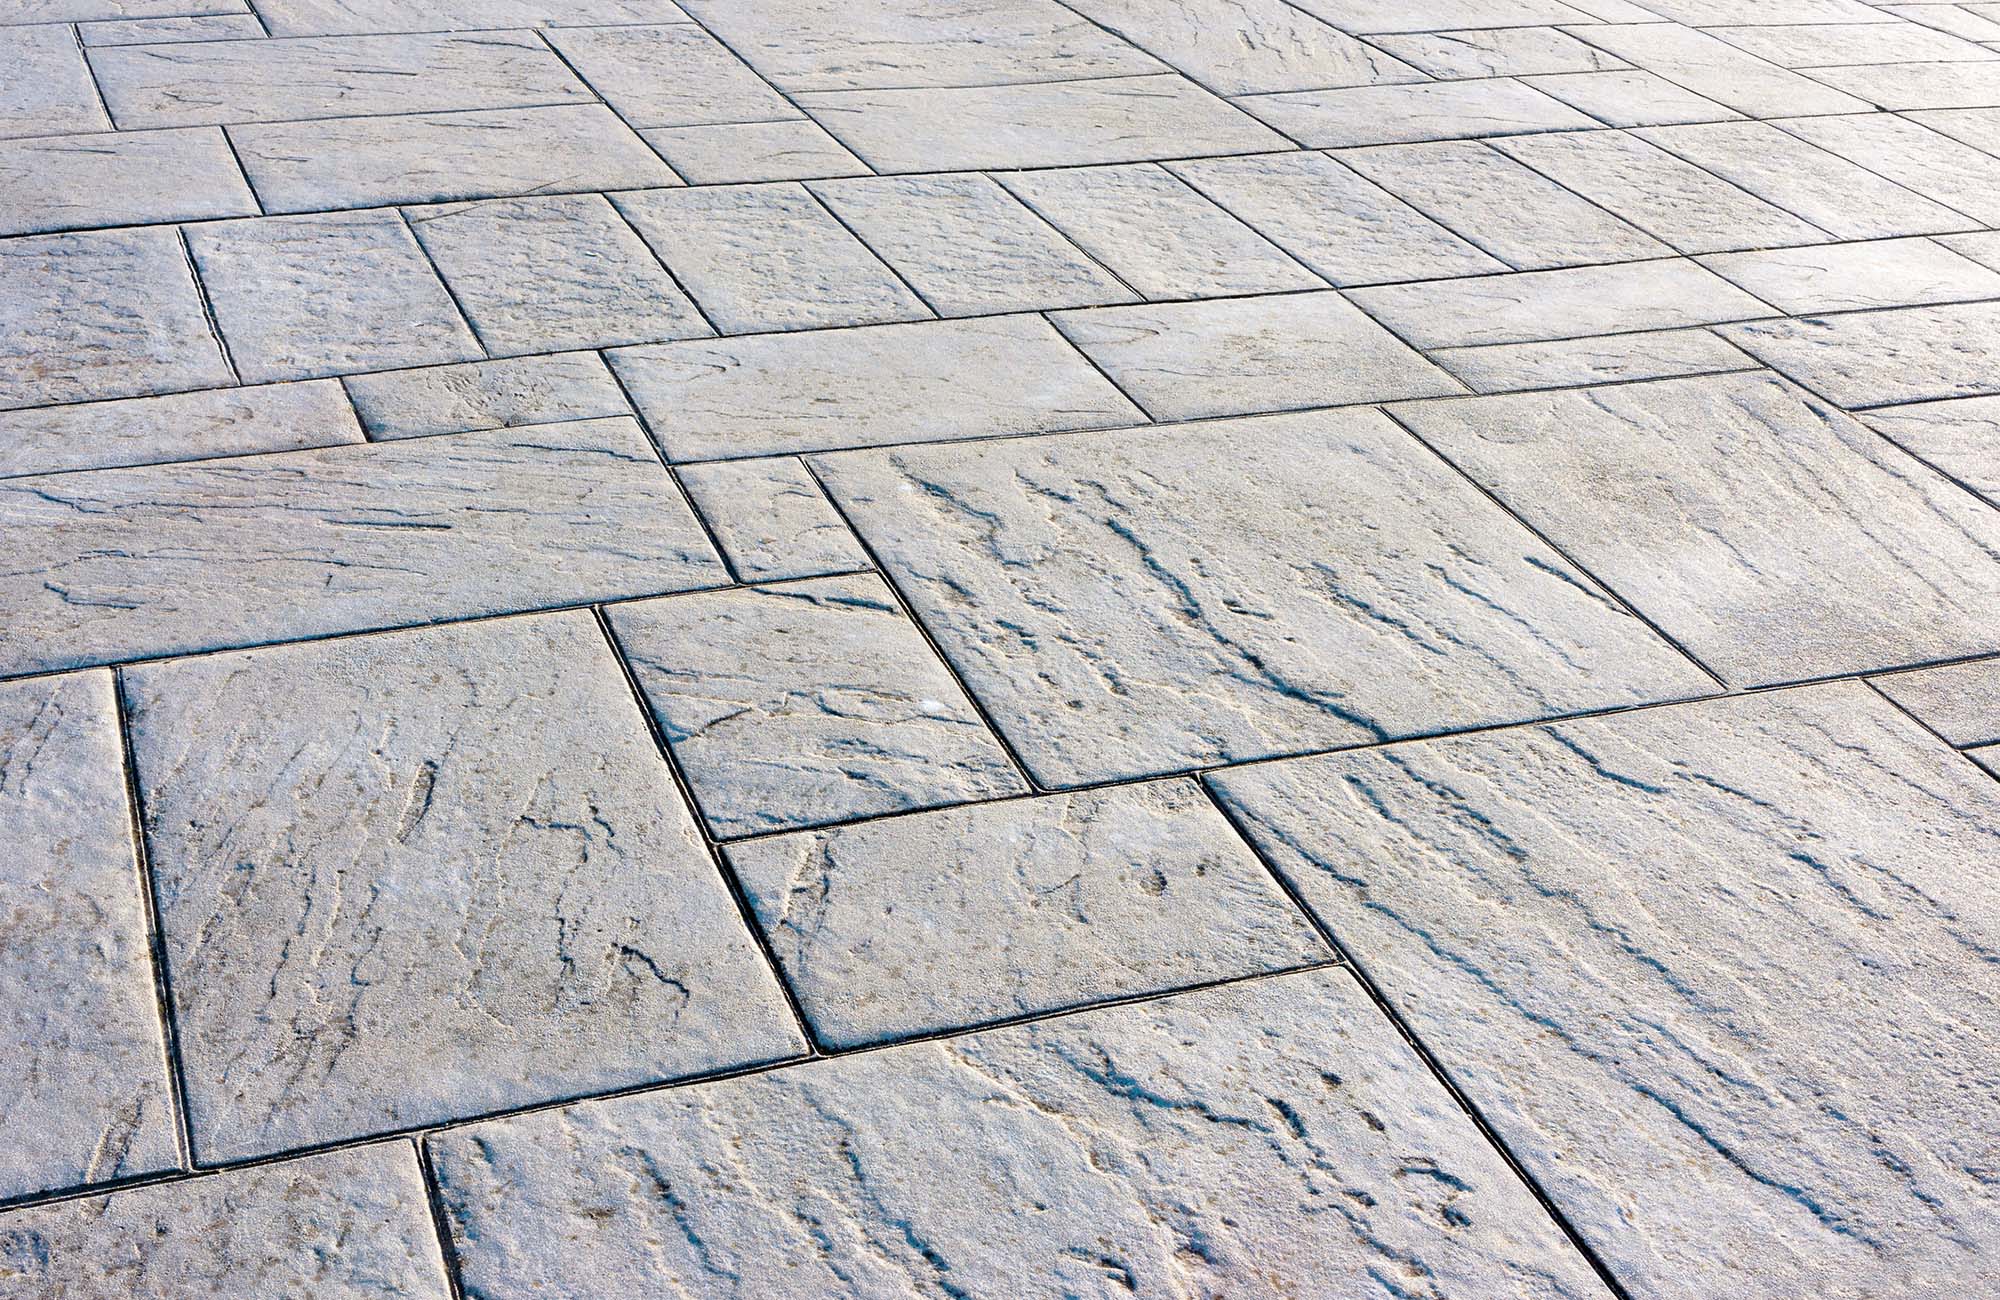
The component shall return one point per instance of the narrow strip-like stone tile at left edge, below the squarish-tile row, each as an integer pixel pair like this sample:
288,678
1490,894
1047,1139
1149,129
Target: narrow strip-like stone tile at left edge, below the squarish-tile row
175,427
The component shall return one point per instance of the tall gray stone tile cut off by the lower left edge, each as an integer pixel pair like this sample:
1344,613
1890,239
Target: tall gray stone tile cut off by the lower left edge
83,1055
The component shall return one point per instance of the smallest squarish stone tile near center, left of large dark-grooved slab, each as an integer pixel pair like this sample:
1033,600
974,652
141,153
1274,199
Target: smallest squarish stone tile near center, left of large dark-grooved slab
771,519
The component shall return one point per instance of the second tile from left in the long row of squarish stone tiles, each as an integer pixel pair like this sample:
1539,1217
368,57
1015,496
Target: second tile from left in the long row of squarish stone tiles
301,297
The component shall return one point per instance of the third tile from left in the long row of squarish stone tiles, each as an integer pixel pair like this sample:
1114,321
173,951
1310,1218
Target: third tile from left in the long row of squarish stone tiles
551,275
